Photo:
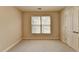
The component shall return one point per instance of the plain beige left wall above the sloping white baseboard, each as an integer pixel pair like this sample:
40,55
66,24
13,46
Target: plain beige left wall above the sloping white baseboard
10,26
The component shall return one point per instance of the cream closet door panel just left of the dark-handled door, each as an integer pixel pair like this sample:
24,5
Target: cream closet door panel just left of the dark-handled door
69,26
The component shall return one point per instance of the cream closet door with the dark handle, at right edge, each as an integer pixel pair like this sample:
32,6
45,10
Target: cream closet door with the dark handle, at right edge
76,28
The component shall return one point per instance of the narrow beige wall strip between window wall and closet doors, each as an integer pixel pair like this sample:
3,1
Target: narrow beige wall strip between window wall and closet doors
62,25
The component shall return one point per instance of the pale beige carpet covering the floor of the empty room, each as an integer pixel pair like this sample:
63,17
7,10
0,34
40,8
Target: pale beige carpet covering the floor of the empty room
41,46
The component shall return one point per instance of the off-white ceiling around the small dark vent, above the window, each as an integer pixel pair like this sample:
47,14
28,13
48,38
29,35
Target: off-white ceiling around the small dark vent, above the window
43,8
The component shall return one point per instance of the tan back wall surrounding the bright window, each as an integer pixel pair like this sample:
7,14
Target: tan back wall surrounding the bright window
27,25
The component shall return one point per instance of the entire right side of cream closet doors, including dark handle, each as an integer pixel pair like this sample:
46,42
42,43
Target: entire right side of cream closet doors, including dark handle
70,27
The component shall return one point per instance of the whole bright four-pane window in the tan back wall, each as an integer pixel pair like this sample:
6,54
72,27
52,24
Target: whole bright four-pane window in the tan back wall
41,24
